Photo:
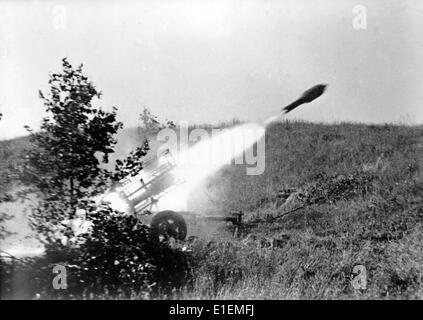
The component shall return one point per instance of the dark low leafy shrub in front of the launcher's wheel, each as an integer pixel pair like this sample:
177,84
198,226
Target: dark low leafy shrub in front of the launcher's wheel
118,258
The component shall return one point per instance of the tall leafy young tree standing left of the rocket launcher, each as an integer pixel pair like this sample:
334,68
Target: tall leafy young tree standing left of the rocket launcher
63,165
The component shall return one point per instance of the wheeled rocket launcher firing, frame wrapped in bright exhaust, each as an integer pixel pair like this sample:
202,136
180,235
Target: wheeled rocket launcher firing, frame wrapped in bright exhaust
140,195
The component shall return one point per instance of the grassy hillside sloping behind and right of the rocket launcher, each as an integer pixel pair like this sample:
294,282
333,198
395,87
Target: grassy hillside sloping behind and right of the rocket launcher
356,196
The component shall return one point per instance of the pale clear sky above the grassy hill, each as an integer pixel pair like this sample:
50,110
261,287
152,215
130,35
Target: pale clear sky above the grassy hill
205,61
